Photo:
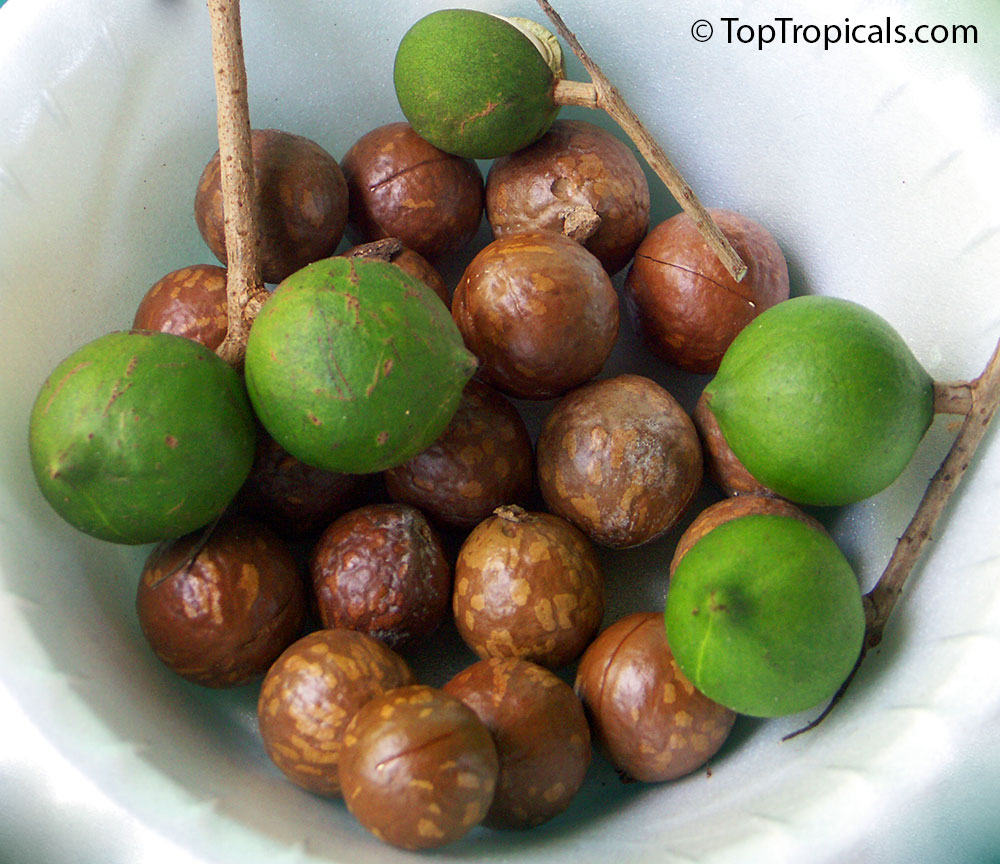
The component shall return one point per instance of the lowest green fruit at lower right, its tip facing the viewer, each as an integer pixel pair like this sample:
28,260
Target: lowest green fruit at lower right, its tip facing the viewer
764,616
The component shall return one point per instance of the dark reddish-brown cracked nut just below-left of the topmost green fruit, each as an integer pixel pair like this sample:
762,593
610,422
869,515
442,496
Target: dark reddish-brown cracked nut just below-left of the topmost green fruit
401,186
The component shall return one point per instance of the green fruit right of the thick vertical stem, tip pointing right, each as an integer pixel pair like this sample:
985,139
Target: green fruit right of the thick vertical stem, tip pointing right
354,366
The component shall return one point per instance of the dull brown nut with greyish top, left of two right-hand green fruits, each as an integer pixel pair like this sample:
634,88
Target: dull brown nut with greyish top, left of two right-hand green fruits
620,459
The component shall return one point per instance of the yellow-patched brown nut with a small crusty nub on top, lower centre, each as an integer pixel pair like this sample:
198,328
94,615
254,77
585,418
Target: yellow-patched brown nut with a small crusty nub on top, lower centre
527,585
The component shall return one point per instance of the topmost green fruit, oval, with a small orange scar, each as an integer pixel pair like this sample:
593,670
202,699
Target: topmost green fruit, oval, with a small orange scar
473,85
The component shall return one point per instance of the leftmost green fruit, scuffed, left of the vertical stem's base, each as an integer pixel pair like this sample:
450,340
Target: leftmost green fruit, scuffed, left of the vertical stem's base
138,437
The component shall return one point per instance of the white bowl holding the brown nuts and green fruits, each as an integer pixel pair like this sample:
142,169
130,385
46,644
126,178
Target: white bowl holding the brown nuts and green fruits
874,166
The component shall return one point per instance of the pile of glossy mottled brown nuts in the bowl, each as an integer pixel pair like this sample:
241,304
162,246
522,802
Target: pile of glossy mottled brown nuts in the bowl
320,583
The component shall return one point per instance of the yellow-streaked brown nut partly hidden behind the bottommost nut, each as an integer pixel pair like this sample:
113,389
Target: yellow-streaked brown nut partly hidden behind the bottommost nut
310,695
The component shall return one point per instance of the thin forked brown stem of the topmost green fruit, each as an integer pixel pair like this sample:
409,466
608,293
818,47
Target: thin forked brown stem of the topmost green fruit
601,93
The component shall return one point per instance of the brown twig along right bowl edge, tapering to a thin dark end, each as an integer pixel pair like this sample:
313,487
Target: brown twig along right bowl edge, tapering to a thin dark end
978,400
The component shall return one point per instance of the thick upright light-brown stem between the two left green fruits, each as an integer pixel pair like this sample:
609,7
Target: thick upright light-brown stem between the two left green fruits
244,286
